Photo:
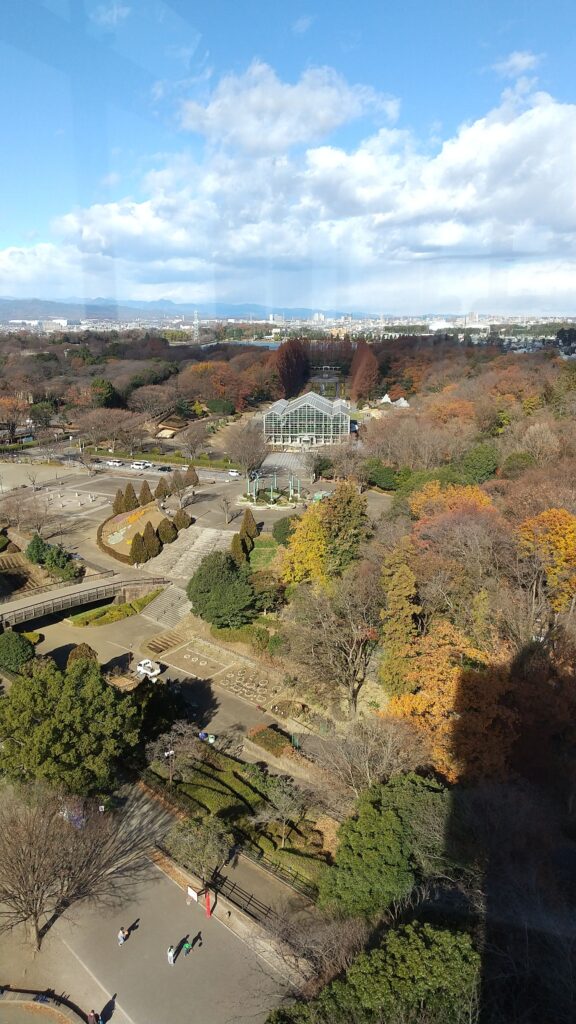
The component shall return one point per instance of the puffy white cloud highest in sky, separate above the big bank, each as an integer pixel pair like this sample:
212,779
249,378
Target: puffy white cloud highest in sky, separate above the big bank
261,114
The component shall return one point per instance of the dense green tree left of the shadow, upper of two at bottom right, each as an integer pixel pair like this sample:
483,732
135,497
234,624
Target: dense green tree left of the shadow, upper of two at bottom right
383,851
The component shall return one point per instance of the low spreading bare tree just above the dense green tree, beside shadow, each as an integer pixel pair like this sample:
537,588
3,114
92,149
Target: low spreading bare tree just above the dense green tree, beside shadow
369,752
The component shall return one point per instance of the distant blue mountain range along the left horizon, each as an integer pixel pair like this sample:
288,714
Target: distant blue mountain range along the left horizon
100,309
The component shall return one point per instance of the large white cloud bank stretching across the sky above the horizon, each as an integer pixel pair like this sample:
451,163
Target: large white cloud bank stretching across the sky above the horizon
486,222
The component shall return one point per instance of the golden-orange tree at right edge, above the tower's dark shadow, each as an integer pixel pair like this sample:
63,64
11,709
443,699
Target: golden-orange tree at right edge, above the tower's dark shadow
551,540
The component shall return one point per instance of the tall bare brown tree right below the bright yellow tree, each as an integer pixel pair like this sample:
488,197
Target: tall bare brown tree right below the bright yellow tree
335,633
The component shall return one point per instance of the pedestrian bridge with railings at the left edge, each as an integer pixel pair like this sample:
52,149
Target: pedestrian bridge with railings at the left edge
100,587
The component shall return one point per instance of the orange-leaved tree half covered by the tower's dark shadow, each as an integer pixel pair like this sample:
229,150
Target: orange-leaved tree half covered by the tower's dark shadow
460,705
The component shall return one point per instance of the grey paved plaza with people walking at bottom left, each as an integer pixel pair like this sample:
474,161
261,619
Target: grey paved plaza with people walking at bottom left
222,983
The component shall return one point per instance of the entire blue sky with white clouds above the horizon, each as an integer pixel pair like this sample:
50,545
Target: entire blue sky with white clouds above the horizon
391,157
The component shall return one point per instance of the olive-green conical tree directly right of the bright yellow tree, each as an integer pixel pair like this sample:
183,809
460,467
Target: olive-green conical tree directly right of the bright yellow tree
346,524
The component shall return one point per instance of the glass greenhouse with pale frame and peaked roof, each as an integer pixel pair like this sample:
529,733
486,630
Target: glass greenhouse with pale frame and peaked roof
312,419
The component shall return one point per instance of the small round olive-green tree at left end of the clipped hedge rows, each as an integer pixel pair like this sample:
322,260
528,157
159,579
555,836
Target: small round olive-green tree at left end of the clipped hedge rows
202,846
